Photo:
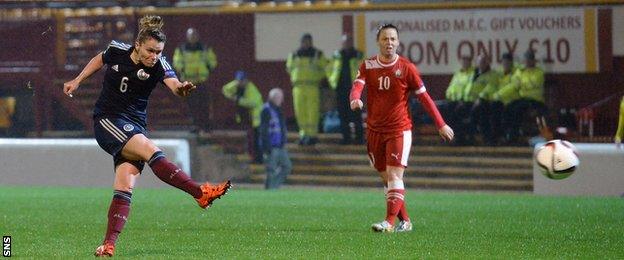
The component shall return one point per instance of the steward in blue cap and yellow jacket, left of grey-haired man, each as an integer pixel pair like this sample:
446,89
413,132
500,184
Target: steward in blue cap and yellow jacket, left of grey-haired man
248,100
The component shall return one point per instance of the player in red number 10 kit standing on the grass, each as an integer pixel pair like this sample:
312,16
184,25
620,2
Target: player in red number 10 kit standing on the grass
389,79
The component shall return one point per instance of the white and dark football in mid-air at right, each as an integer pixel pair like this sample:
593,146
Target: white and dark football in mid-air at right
557,159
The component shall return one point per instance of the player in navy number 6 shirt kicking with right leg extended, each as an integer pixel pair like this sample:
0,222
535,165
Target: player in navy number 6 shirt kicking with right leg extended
132,72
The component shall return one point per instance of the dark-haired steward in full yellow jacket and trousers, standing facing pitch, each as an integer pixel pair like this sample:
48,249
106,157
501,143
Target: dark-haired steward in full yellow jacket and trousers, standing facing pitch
307,68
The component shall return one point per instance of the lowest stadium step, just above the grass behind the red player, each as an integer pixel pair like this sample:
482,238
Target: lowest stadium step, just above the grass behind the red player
410,182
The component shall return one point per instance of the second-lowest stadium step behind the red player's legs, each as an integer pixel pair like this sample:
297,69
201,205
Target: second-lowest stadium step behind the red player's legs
428,171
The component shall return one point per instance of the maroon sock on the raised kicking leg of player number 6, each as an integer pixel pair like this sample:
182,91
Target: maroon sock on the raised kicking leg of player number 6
173,175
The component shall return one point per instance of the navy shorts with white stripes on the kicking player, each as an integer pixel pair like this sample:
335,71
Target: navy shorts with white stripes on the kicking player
112,134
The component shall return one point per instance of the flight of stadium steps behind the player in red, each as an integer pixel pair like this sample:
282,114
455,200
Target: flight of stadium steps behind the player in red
431,166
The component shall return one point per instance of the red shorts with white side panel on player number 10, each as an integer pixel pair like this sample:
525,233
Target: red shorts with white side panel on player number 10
388,149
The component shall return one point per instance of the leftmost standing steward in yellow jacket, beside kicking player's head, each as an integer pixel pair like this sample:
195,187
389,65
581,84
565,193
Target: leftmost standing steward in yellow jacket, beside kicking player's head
195,61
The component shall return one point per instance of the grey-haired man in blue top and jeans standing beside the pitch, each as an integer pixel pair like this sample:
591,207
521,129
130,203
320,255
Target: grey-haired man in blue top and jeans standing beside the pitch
273,140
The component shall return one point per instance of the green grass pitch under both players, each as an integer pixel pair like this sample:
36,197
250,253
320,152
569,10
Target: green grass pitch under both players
313,223
